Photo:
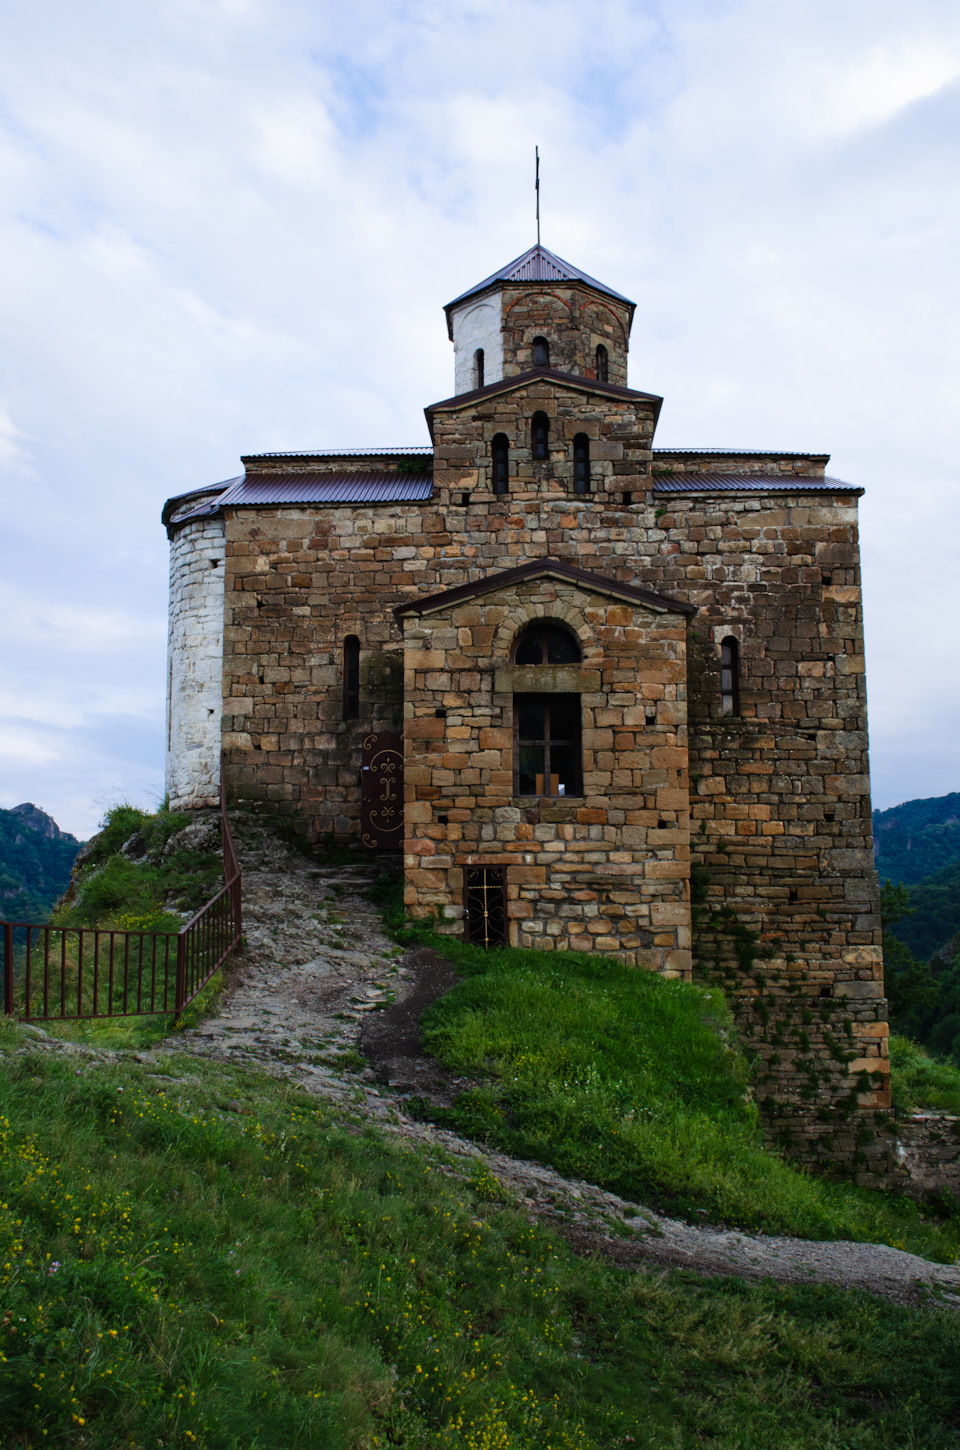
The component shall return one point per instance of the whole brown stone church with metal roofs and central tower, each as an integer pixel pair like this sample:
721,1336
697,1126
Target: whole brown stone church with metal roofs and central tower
566,674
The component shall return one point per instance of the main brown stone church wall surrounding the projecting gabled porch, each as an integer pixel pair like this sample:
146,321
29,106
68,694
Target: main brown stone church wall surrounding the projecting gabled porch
779,797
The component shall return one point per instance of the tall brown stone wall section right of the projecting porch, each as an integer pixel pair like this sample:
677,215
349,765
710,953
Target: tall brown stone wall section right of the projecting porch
781,811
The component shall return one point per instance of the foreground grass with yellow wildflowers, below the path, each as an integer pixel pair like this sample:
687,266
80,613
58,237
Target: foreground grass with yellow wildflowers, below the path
220,1262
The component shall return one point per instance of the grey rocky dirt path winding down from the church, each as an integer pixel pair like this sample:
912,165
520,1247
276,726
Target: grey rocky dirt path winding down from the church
320,964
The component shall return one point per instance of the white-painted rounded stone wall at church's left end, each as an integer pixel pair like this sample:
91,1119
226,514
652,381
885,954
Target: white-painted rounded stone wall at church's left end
195,665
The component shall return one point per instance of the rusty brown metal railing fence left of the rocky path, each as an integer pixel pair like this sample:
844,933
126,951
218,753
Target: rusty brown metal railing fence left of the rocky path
75,974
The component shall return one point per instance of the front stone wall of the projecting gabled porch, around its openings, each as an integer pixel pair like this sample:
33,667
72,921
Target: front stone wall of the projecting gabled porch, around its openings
605,872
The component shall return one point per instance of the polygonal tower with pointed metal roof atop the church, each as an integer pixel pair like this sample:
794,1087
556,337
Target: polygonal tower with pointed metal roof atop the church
539,311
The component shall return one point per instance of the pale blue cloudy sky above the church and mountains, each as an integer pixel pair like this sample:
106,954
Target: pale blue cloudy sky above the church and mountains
230,227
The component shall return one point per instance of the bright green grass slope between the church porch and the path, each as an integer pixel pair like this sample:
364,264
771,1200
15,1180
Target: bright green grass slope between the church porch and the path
627,1080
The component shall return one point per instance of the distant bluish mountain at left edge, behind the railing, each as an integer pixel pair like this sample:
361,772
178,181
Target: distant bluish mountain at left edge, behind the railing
36,863
